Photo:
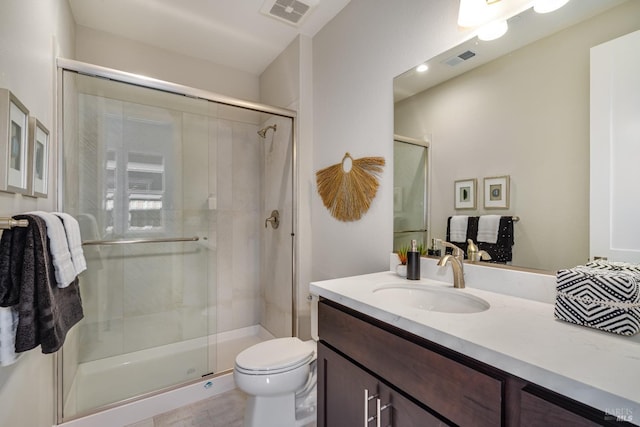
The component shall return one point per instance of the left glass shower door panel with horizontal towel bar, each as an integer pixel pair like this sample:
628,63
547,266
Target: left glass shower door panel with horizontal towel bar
135,178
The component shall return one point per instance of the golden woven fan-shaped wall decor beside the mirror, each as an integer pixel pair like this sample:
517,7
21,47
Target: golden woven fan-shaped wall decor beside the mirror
346,191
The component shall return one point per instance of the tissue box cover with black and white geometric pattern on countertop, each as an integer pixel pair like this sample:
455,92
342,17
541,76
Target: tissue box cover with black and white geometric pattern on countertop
600,295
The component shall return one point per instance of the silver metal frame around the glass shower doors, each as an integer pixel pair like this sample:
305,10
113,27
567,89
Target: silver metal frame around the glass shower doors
78,67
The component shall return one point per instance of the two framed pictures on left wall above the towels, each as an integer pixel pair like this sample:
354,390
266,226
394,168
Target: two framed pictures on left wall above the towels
24,149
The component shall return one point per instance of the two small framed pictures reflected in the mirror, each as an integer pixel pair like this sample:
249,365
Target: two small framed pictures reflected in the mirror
496,193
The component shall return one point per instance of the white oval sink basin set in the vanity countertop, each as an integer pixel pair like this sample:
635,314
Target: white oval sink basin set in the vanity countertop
430,298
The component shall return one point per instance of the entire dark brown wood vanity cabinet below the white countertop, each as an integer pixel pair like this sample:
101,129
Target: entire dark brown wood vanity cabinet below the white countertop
420,383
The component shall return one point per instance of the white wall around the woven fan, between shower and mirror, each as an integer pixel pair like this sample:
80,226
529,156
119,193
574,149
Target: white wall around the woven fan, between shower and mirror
355,58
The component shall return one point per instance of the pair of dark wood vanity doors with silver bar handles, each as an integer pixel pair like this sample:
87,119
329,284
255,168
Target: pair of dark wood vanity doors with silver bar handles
341,397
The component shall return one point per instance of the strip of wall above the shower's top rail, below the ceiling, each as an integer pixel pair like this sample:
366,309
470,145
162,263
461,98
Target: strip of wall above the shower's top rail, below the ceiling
108,50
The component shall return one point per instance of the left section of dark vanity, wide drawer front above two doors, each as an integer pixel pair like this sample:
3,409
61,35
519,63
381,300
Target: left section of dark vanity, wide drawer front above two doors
427,383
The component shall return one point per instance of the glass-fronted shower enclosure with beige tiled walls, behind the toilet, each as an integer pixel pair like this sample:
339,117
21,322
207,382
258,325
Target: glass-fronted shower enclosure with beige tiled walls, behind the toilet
174,190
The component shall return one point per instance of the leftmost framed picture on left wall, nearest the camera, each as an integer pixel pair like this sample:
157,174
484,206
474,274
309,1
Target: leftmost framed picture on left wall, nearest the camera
14,125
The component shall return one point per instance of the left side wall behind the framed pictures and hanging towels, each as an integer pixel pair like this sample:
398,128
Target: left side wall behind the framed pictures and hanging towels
32,33
